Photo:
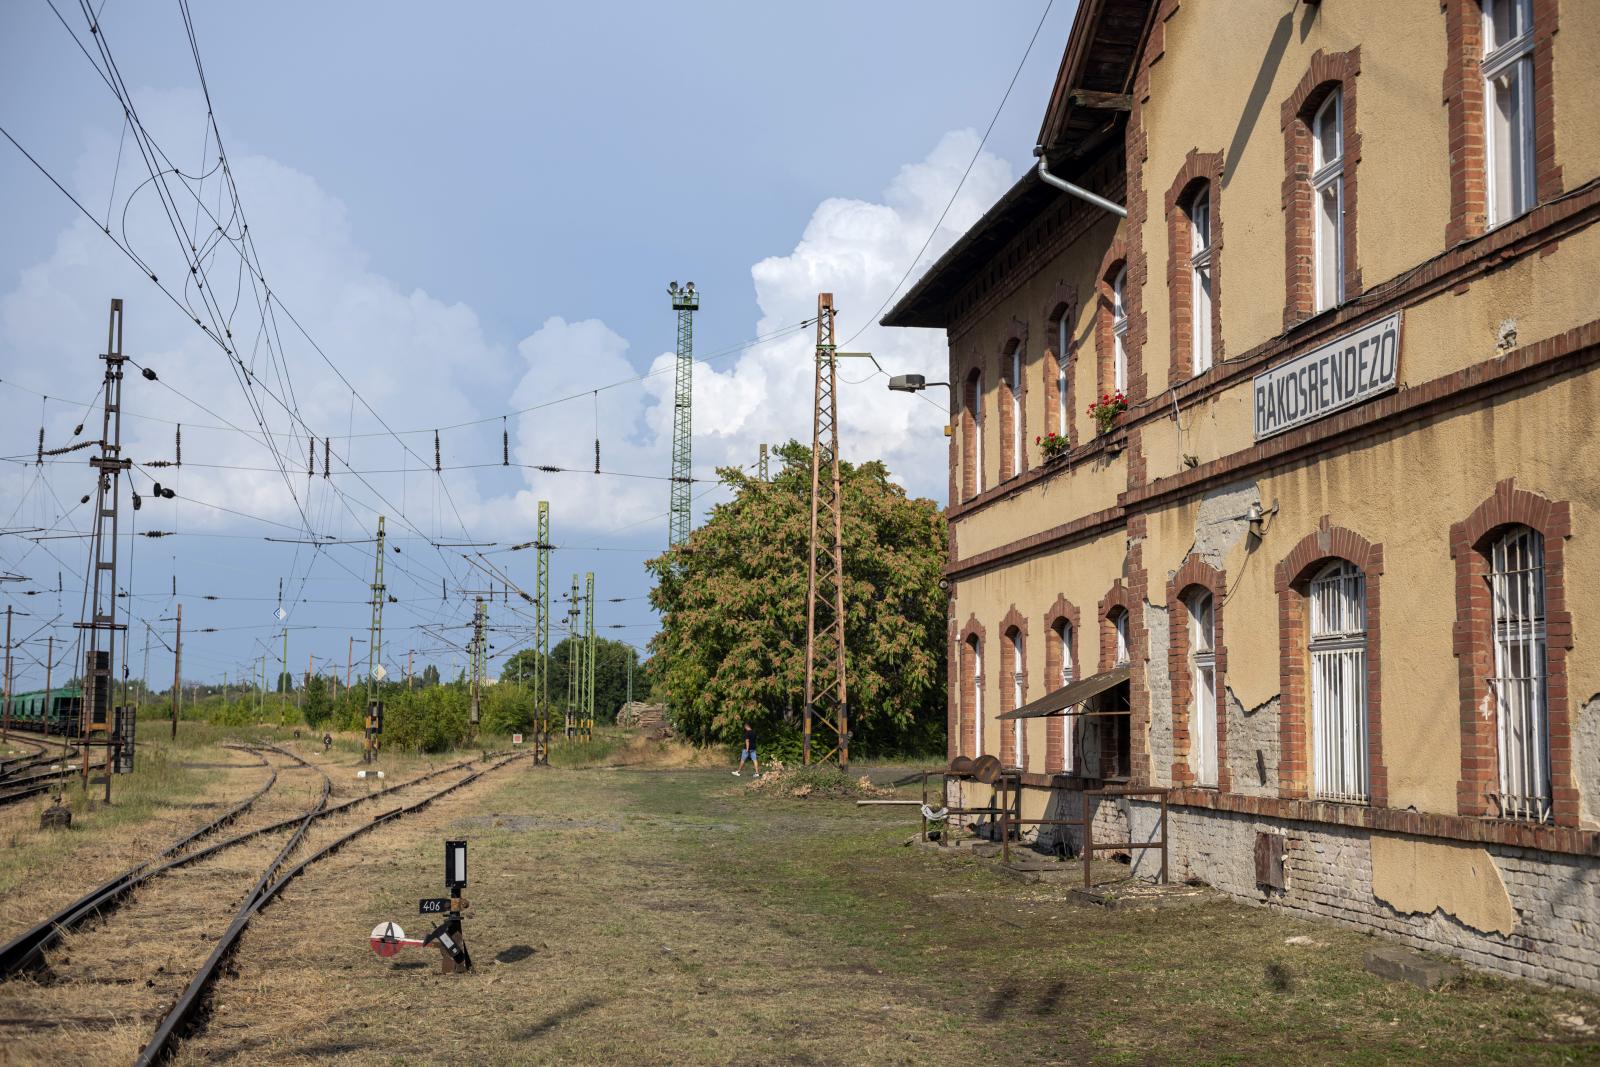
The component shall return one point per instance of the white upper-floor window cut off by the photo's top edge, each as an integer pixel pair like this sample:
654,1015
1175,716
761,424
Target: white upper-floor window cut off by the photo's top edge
1508,102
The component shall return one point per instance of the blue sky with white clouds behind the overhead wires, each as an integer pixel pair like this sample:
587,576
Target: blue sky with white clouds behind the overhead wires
476,214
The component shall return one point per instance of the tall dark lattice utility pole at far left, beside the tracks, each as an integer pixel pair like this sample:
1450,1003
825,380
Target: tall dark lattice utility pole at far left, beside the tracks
102,621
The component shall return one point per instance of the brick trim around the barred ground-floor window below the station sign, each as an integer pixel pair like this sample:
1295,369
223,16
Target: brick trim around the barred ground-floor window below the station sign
1292,583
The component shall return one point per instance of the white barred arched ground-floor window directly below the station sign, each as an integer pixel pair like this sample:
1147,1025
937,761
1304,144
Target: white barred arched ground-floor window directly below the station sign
1338,684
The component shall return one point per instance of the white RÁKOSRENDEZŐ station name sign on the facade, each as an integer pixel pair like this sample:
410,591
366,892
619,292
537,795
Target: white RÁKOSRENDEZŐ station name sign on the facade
1342,374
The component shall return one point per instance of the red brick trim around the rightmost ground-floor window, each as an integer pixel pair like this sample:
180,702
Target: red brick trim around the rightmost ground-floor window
1473,645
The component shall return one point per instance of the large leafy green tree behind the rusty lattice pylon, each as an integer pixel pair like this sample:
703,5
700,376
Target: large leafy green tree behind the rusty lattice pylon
732,604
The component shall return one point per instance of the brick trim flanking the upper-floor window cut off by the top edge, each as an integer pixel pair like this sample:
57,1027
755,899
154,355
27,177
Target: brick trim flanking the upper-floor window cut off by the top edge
1466,113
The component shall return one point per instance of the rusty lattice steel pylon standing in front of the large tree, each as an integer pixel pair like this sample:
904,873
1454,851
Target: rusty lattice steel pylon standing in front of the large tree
826,697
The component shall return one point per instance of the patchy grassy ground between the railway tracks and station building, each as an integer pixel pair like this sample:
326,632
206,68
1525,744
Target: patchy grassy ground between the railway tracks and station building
673,916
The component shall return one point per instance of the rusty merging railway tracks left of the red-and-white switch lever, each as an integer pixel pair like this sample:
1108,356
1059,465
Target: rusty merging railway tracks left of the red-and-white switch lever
134,967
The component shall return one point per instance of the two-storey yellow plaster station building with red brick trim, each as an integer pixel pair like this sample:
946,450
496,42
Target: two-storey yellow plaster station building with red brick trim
1346,533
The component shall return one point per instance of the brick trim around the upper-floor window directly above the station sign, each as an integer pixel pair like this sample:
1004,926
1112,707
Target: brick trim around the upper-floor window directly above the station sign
1326,74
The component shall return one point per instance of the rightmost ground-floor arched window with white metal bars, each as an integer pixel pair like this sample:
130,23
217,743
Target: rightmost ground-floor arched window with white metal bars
1518,601
